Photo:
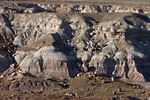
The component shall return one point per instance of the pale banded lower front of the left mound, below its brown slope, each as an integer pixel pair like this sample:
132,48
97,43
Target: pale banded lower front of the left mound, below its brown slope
47,63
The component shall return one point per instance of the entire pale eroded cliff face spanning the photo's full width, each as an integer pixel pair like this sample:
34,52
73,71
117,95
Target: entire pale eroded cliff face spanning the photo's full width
64,44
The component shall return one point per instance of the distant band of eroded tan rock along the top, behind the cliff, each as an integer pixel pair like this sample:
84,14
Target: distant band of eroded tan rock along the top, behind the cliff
72,7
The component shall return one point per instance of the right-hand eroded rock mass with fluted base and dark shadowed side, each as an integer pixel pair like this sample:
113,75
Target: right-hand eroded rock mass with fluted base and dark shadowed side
124,43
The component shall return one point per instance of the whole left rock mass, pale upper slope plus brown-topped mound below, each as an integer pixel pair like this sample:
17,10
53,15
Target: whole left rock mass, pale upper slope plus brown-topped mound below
43,51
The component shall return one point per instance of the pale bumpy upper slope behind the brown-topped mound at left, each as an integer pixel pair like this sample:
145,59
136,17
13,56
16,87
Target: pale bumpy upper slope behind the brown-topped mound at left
41,25
